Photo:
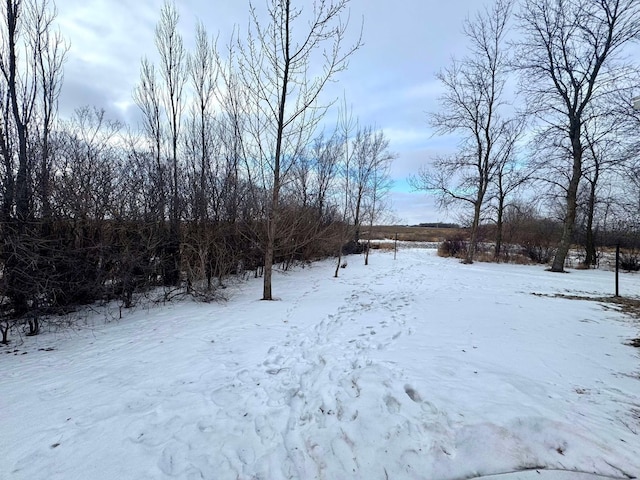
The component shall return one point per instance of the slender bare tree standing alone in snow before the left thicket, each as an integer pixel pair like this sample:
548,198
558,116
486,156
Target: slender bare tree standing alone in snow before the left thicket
279,70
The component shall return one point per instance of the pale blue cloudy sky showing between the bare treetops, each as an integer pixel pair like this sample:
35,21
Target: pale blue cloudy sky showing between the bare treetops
390,82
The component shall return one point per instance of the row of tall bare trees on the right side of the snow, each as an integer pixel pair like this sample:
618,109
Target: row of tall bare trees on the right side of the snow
542,103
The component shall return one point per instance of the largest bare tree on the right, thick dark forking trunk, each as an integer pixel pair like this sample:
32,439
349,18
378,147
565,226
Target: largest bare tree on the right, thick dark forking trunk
567,58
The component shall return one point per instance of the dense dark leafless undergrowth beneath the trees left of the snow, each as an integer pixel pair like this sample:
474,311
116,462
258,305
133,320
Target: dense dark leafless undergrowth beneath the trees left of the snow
50,268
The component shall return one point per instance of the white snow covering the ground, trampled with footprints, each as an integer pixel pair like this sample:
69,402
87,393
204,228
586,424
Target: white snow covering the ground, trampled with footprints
415,368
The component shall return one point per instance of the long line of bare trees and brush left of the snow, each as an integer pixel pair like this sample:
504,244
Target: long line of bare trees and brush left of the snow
230,171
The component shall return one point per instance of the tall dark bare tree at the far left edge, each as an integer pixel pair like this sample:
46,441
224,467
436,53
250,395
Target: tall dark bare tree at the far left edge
31,58
